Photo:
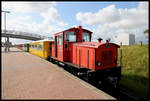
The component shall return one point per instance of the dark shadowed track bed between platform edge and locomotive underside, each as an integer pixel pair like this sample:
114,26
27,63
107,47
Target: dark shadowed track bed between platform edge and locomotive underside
119,93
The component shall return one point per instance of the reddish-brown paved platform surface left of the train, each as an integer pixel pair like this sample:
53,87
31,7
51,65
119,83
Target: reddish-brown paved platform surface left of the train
26,76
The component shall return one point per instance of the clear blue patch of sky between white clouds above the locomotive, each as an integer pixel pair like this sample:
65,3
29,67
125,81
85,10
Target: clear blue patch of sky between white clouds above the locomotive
68,10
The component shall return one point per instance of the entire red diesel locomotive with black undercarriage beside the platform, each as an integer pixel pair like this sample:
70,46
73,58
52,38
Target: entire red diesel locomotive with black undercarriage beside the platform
95,60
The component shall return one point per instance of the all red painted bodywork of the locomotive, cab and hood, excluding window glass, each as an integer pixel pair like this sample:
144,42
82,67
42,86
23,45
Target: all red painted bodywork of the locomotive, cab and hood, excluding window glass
85,54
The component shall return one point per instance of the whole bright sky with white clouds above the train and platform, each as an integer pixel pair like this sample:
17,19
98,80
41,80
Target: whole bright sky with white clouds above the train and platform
104,19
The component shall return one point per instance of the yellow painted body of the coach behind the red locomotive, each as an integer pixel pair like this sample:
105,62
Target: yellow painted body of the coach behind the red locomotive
44,52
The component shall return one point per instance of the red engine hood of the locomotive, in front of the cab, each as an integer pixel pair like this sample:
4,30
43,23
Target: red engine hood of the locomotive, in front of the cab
84,55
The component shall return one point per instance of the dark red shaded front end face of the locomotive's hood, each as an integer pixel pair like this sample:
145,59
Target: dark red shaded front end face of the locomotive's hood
107,56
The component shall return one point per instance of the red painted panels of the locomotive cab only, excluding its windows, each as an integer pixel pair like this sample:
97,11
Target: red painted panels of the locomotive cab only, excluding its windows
63,54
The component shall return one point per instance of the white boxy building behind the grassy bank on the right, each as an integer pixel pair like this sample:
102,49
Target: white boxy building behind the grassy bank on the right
125,39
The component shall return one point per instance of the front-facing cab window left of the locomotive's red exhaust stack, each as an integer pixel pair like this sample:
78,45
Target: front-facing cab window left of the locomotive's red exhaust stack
70,36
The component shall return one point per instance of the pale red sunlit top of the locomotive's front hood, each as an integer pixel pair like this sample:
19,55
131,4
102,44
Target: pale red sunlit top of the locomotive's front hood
92,44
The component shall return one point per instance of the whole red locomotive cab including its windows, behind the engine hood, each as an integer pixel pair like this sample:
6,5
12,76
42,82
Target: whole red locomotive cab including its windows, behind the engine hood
65,39
